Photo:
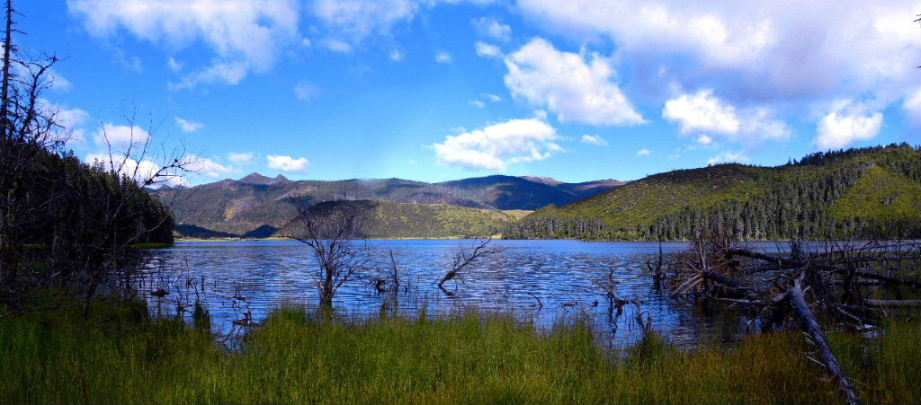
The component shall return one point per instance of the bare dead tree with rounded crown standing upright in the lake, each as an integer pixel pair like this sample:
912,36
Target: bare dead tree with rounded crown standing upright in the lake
331,231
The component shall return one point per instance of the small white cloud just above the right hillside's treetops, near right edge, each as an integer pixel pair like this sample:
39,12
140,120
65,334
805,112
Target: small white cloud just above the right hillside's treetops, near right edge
847,123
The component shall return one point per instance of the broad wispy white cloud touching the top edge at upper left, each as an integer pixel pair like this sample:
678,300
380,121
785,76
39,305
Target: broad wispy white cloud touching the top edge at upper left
244,35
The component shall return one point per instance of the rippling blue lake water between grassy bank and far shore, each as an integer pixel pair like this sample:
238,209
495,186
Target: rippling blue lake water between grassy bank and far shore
541,280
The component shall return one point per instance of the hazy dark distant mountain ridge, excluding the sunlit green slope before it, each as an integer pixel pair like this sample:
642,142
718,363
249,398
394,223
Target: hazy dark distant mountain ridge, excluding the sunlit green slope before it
255,203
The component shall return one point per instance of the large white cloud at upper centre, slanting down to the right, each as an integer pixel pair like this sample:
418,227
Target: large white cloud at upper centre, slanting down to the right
566,83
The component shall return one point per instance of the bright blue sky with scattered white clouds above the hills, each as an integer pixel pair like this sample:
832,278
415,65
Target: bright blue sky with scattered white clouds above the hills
436,90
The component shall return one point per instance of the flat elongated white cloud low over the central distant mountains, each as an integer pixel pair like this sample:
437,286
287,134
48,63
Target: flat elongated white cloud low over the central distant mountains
496,146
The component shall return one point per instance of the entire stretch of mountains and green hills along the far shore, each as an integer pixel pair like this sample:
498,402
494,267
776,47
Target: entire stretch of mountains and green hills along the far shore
868,192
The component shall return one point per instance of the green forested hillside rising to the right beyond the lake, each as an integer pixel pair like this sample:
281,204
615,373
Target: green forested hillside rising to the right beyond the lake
869,192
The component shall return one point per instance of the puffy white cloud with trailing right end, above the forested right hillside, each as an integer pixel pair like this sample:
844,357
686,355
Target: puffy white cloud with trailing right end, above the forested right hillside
704,112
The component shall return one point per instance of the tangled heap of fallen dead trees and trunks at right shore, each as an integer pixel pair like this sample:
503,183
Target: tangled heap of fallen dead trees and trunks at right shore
797,285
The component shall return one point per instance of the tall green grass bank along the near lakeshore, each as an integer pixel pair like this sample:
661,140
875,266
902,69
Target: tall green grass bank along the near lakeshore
118,355
